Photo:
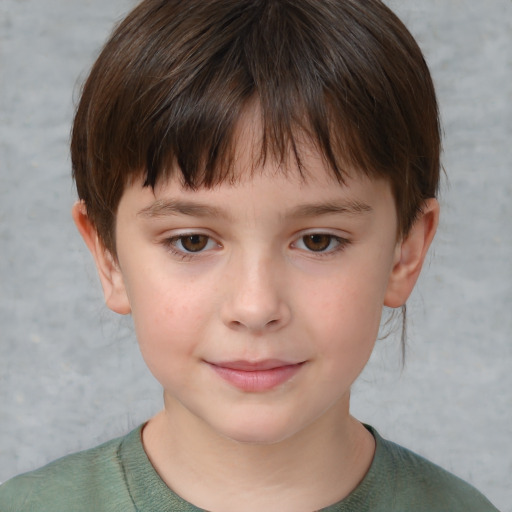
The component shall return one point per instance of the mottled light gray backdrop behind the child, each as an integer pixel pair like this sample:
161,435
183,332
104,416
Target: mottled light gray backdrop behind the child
70,372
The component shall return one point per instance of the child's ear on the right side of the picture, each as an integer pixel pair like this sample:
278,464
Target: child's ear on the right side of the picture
410,255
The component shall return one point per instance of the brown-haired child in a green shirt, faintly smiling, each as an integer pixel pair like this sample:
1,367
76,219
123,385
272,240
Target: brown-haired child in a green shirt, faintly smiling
257,179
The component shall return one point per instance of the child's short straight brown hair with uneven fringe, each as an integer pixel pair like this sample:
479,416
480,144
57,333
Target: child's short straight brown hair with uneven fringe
171,83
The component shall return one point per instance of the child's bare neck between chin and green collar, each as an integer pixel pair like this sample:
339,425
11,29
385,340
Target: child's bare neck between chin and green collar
314,468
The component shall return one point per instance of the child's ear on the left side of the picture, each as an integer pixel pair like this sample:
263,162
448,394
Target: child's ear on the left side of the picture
109,271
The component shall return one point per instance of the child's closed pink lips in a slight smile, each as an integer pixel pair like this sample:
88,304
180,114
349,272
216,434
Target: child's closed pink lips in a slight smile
256,376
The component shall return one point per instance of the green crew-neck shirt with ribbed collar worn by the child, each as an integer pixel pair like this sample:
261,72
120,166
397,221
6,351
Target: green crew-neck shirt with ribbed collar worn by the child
118,477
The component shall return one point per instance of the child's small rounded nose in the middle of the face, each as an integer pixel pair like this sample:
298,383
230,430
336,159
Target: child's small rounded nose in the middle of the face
256,297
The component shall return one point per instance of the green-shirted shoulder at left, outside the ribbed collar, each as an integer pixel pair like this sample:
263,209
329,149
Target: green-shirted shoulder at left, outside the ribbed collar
89,480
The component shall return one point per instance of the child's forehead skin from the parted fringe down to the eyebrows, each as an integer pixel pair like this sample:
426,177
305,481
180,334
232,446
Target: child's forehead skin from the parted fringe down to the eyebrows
300,181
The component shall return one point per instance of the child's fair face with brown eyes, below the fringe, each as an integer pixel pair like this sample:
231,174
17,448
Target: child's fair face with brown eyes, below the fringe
257,305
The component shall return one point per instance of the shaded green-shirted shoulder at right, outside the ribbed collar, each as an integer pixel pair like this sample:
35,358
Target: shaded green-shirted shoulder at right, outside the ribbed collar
418,484
